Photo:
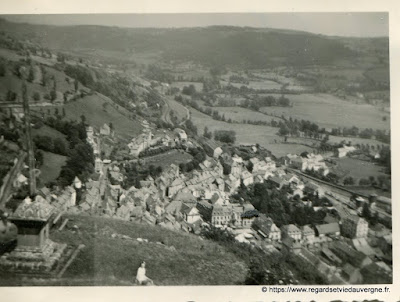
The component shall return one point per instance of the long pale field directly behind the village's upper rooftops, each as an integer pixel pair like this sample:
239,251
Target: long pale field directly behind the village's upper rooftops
248,134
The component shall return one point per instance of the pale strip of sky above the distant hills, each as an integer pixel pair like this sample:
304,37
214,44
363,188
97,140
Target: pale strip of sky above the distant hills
368,24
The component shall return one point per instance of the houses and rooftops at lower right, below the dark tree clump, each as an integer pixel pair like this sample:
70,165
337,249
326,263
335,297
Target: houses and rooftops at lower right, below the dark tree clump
341,252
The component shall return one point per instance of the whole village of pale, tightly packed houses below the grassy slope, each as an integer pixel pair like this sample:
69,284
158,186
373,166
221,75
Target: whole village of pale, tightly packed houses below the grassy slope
339,248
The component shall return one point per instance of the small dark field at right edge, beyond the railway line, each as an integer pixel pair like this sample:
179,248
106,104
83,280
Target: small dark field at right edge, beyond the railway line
358,168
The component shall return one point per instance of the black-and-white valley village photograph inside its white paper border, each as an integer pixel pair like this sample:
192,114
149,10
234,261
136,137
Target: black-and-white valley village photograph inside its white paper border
186,149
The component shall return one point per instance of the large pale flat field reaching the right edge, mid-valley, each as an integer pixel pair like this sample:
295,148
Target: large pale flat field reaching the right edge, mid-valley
331,112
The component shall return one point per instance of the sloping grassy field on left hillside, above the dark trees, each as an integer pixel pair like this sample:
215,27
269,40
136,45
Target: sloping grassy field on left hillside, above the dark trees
92,107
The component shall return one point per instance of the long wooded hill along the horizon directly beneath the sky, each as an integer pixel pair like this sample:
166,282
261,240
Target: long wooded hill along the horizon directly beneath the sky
215,45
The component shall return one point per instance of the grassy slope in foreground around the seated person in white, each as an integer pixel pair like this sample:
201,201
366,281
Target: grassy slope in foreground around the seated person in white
114,261
